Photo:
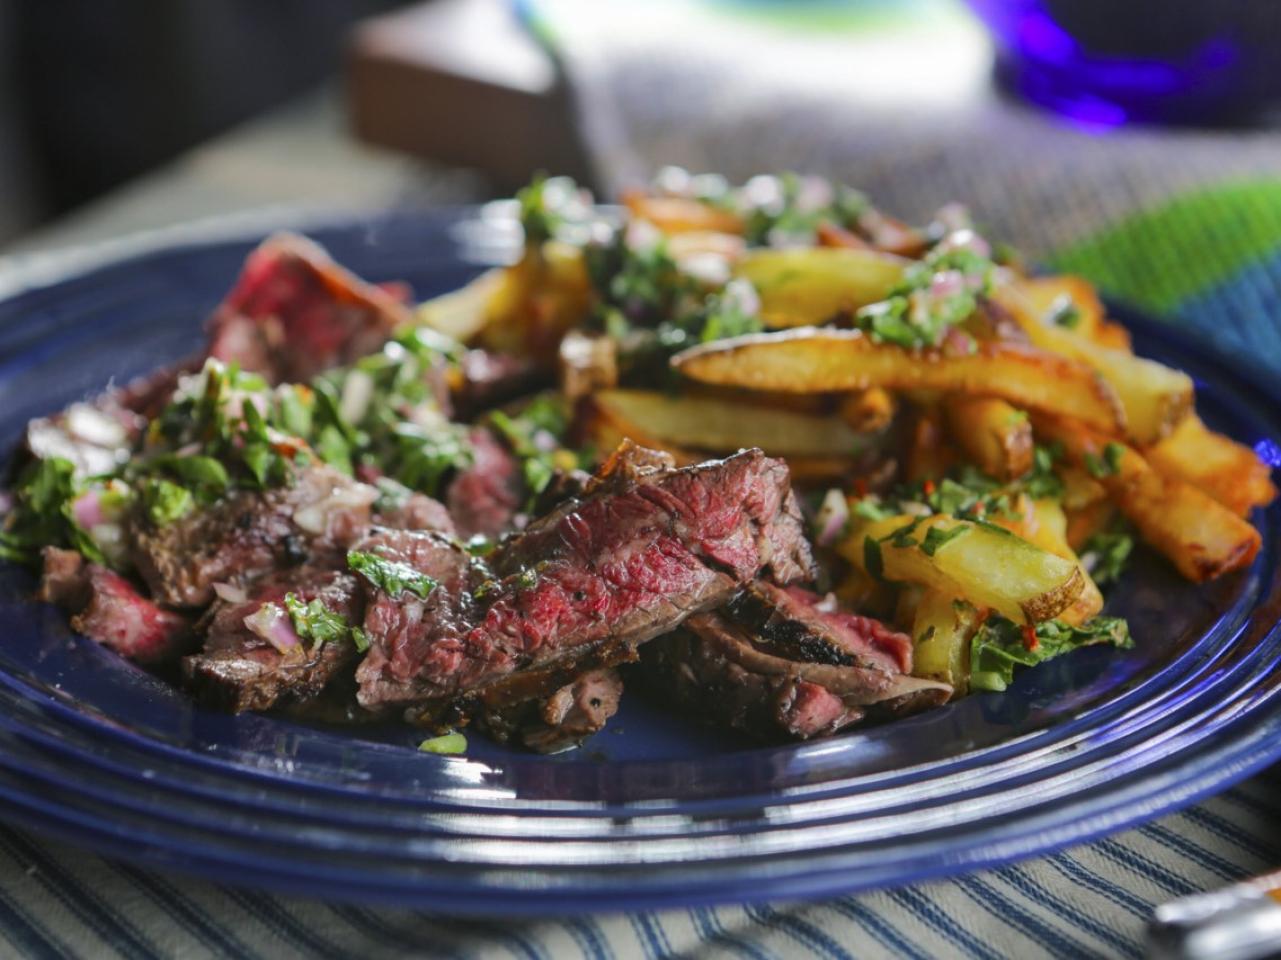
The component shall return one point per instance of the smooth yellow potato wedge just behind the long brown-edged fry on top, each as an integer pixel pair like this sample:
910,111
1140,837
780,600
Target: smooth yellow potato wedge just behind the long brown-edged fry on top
809,286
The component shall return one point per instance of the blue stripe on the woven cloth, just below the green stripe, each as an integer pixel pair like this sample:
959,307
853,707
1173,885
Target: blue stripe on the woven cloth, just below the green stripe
1242,312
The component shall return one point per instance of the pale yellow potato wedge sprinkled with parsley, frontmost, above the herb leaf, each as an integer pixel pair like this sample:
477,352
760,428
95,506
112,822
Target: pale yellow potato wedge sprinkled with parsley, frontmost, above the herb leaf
987,566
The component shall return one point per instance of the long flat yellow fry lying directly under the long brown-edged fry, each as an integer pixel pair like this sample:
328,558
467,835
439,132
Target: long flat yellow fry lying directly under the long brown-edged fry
708,424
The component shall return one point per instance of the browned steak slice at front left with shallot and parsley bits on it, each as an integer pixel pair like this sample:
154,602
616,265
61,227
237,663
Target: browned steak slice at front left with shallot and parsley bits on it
240,671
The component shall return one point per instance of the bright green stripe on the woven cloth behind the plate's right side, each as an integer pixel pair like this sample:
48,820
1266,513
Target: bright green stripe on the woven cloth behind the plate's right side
1165,256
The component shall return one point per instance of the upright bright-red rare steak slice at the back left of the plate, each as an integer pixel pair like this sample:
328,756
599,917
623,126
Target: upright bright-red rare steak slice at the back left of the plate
294,313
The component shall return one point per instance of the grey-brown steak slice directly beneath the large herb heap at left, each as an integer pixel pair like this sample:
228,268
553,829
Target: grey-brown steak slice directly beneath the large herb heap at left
252,534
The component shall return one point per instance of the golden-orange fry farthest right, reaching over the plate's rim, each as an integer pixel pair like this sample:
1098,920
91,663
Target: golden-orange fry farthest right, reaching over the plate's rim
1228,471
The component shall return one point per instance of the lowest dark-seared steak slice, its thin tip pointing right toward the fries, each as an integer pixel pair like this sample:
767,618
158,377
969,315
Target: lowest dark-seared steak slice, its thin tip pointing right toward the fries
715,671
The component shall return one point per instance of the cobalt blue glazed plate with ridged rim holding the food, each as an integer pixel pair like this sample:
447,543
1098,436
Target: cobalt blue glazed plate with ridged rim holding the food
654,812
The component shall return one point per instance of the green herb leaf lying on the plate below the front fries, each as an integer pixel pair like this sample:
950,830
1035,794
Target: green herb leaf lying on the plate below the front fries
1001,647
